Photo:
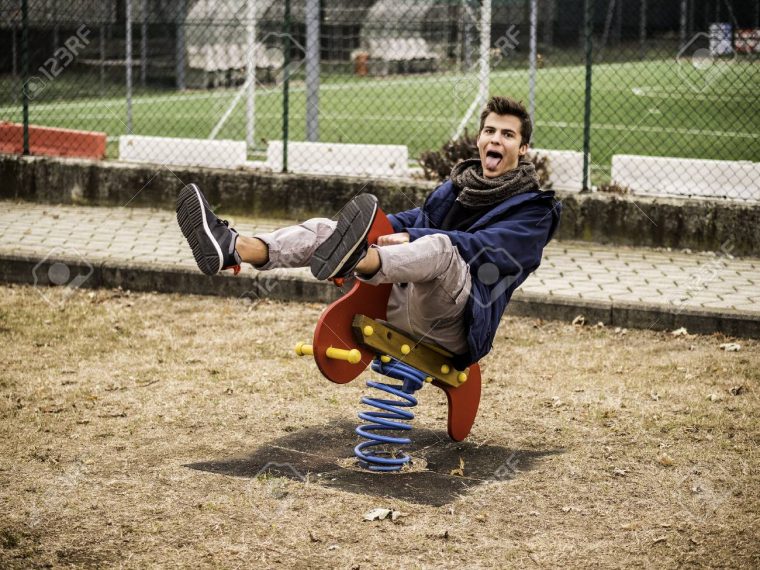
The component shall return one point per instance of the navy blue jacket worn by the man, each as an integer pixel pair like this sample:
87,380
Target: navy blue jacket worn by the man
502,248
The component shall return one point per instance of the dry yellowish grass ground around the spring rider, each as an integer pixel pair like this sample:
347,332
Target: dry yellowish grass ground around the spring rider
108,396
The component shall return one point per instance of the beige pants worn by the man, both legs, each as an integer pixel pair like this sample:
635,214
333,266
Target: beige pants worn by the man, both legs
431,280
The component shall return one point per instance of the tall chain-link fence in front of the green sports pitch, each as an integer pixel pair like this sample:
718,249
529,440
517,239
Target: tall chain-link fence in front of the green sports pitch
659,98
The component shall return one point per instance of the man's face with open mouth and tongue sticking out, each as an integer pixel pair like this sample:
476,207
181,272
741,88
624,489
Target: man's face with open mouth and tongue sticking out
500,144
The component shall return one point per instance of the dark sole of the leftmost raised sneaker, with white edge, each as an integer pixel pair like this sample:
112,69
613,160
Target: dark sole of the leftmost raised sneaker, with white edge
192,221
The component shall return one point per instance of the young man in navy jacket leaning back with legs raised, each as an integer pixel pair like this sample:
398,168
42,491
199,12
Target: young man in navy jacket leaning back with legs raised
454,262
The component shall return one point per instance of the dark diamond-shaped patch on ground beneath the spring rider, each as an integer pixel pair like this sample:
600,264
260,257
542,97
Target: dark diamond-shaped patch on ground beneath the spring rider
317,453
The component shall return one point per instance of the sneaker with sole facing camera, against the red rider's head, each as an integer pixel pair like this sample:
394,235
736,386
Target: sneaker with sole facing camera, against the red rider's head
347,245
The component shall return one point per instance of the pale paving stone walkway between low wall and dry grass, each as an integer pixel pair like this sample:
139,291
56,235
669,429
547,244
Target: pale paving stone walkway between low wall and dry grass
674,280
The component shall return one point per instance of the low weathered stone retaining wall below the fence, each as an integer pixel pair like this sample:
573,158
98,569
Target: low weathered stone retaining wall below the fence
705,225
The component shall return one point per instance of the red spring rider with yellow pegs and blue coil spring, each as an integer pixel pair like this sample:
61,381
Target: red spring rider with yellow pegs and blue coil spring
351,334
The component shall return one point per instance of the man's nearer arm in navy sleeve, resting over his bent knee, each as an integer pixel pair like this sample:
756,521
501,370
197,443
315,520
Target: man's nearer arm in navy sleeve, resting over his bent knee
513,245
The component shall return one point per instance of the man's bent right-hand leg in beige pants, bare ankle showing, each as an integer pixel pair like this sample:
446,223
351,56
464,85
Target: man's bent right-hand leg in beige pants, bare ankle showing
435,285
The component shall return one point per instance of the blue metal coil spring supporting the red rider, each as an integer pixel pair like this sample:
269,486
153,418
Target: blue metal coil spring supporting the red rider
391,416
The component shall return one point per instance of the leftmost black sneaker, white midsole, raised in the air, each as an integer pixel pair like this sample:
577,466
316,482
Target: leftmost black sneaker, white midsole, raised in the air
211,239
